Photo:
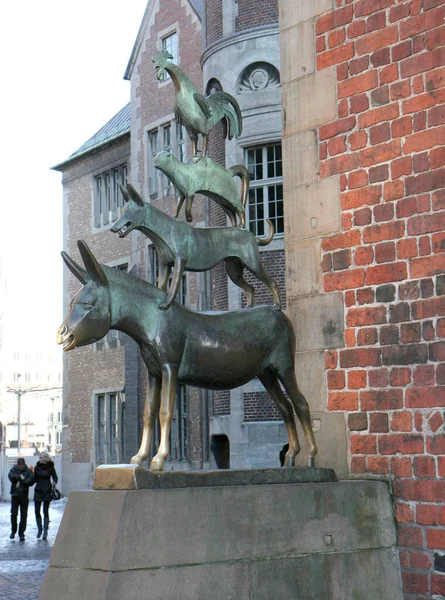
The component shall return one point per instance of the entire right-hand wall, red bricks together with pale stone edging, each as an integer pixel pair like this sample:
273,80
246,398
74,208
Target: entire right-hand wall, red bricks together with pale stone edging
364,184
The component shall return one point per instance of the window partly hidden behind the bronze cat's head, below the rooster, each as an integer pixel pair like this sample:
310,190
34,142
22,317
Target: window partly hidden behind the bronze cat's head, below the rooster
171,138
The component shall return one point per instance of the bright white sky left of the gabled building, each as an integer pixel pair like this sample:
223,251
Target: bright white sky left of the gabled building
62,65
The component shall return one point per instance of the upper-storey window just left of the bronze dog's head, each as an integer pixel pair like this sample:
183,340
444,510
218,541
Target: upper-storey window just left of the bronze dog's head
107,197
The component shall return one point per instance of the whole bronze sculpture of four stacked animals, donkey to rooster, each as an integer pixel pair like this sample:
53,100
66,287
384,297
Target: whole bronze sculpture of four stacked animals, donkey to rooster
219,350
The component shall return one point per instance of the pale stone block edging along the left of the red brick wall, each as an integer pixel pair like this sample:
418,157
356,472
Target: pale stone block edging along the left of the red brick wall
312,211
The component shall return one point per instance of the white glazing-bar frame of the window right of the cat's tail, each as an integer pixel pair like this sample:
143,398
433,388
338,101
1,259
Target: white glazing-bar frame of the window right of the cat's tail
265,184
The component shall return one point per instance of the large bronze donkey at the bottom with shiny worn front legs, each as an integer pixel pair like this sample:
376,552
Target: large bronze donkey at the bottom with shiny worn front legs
217,351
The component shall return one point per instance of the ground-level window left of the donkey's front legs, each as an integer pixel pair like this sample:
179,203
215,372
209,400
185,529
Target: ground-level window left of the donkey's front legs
108,428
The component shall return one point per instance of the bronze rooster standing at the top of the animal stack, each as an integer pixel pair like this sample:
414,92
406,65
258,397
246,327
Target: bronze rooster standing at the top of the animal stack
197,113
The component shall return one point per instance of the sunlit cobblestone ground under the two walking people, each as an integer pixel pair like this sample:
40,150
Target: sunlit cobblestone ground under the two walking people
23,564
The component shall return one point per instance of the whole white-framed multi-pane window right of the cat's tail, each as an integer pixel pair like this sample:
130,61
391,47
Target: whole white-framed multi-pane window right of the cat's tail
266,189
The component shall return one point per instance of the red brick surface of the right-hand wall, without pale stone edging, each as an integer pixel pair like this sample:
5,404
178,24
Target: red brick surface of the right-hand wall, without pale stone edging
388,260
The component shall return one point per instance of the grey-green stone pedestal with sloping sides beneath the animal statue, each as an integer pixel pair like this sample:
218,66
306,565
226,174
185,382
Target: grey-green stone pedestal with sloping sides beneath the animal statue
305,541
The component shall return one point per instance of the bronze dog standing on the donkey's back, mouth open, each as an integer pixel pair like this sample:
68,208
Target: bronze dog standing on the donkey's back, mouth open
184,248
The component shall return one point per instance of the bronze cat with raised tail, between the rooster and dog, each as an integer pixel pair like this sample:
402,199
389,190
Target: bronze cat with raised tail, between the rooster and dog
209,179
